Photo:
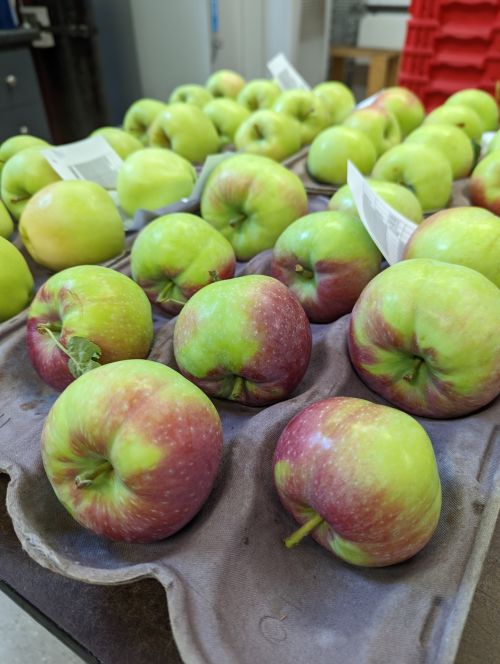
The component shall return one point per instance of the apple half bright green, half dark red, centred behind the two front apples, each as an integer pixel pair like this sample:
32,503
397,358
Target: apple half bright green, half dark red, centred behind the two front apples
246,340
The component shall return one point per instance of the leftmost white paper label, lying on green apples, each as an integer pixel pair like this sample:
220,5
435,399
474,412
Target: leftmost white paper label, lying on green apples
91,159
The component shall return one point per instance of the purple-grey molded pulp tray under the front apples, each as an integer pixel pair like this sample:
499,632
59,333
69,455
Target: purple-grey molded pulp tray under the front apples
235,594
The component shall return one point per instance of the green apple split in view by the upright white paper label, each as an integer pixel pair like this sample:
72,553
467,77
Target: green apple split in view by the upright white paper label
398,197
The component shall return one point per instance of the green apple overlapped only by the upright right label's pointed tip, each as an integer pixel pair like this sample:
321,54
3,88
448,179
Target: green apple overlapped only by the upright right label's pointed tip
333,148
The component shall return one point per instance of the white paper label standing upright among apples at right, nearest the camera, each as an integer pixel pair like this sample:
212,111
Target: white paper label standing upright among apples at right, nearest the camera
388,228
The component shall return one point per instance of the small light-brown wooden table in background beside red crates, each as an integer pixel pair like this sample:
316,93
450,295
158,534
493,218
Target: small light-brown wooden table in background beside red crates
382,65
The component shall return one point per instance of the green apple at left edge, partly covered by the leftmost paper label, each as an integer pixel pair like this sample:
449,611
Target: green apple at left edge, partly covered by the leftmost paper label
22,176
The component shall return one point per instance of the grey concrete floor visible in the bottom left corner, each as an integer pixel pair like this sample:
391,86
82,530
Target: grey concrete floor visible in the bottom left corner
24,641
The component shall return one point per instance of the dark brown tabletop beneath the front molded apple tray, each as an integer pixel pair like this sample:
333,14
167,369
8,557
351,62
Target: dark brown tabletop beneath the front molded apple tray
128,624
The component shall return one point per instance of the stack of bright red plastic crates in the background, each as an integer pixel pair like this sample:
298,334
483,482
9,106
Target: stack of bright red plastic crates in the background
451,45
